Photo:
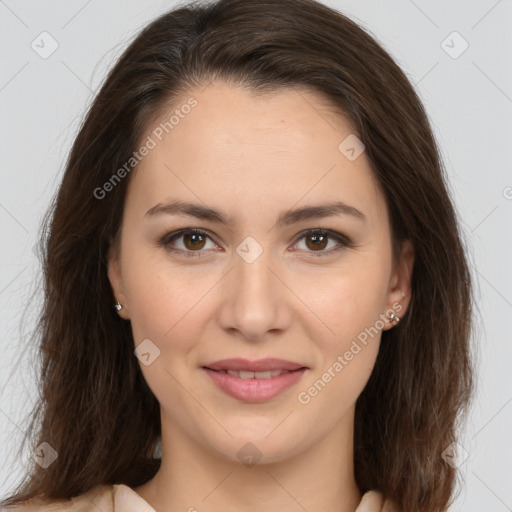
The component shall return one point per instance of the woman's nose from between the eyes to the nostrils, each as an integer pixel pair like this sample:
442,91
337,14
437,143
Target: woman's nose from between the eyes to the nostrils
255,298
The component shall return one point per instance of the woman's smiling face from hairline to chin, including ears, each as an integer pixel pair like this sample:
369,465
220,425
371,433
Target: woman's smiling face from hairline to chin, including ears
257,281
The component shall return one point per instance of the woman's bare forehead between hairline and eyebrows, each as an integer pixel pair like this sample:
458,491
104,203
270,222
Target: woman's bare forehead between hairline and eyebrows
236,149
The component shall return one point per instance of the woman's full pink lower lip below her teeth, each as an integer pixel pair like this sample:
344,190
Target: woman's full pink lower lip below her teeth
254,390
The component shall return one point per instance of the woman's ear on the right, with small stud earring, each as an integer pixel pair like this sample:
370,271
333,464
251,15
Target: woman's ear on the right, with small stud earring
399,293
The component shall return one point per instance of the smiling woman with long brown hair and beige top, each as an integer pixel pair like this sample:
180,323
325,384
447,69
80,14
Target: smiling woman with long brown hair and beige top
257,190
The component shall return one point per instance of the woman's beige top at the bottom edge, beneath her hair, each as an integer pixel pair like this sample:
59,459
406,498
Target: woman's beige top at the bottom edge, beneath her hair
121,498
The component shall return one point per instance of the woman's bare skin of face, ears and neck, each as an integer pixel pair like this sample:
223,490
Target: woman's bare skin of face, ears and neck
254,157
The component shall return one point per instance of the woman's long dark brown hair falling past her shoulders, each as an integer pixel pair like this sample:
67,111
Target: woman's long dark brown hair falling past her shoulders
95,408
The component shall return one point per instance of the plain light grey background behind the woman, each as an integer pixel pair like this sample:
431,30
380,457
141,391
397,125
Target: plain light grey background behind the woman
469,100
